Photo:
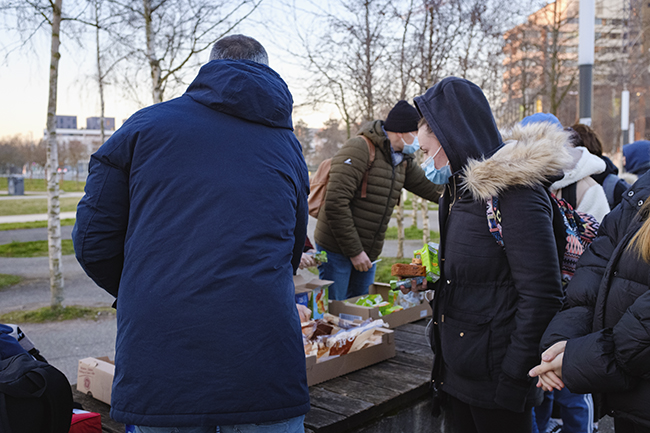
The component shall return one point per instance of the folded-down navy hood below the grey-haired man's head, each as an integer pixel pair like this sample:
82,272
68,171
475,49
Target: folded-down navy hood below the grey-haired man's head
245,89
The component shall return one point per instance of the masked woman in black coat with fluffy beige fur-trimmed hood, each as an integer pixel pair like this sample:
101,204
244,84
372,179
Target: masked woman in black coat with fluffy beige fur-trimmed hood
492,303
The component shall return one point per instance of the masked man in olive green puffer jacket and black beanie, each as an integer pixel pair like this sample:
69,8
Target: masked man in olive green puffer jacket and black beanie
351,228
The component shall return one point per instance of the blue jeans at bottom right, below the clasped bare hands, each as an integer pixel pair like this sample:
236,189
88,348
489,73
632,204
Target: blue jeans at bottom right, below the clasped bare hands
577,411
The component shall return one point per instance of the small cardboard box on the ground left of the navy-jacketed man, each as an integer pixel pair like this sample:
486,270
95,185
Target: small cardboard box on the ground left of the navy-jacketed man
95,378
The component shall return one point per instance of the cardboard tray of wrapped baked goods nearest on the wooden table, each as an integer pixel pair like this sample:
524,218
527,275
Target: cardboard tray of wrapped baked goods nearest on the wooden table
318,372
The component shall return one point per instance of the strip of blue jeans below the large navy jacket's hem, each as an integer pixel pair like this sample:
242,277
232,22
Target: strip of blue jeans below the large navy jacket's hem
293,425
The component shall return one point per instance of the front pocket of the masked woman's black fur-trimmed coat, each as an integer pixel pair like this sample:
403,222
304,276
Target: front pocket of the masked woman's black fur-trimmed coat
466,345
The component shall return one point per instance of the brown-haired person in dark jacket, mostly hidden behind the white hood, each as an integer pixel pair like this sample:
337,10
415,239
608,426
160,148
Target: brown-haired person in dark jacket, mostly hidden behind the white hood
613,185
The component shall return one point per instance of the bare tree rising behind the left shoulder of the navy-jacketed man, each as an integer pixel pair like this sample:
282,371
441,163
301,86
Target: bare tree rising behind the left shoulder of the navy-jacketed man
167,35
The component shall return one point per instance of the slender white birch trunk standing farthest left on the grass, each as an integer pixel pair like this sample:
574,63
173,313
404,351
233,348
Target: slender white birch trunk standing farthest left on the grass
53,207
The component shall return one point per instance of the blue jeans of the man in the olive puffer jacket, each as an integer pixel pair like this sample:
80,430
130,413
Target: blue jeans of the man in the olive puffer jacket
348,282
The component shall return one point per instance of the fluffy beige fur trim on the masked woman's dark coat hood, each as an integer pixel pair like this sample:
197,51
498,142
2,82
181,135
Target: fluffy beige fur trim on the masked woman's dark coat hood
530,156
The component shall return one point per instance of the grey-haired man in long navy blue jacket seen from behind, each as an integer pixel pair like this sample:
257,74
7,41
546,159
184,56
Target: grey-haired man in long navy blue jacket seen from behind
194,218
